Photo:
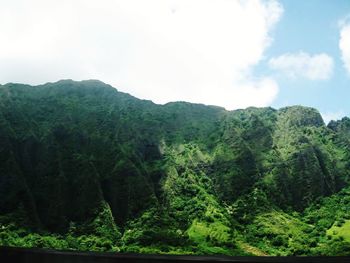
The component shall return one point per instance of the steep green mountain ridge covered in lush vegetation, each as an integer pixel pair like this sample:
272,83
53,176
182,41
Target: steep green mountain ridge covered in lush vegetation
84,166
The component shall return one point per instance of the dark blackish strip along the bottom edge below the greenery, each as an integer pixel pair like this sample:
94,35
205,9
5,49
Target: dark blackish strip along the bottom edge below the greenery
10,254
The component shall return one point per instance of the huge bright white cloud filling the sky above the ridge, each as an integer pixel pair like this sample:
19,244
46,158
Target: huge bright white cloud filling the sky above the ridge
163,50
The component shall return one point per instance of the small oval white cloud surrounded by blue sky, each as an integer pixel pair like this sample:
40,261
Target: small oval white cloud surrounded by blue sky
301,64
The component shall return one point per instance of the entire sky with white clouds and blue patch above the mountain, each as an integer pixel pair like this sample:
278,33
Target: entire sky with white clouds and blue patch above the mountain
229,53
